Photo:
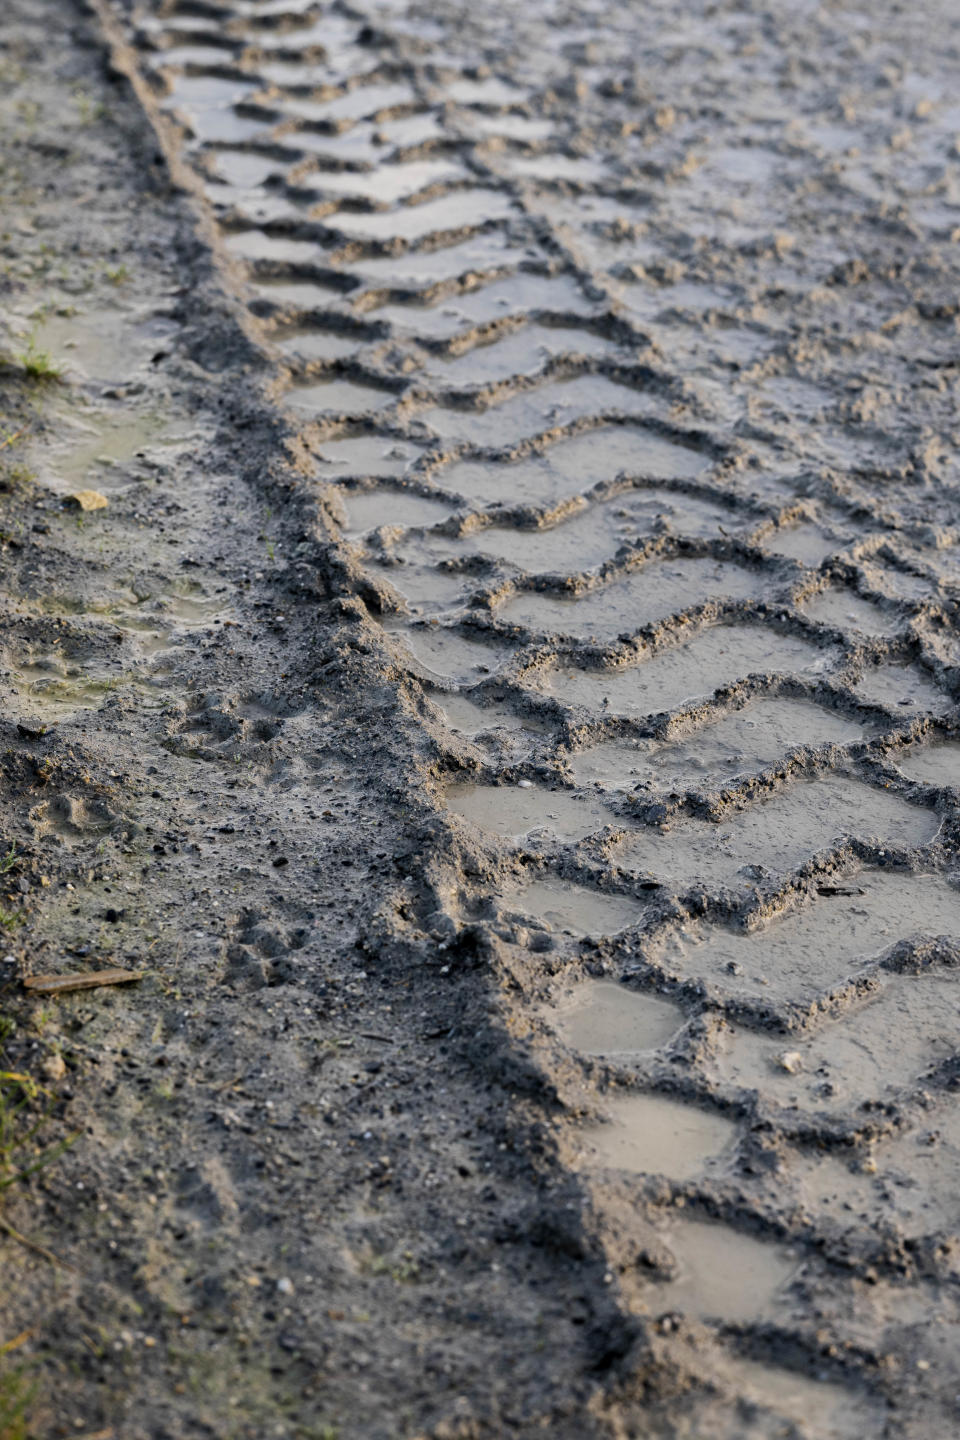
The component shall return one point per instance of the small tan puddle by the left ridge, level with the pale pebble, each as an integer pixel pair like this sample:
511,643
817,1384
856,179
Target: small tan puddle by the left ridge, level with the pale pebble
605,1019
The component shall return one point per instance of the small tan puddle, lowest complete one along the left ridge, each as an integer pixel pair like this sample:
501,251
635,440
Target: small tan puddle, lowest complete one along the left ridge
722,1275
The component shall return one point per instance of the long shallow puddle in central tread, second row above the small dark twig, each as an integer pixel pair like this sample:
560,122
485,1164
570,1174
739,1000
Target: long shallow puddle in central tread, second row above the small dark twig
745,742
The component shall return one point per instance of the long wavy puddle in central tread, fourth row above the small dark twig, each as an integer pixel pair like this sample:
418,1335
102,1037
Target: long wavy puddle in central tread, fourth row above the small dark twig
650,594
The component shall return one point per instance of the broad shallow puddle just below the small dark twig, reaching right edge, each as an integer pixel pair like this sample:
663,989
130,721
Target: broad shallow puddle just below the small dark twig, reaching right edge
815,948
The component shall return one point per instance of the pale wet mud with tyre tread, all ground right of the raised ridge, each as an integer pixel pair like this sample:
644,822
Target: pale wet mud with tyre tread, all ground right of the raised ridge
622,351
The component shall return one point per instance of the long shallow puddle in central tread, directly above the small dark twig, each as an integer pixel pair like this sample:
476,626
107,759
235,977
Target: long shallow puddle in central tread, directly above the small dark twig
776,836
